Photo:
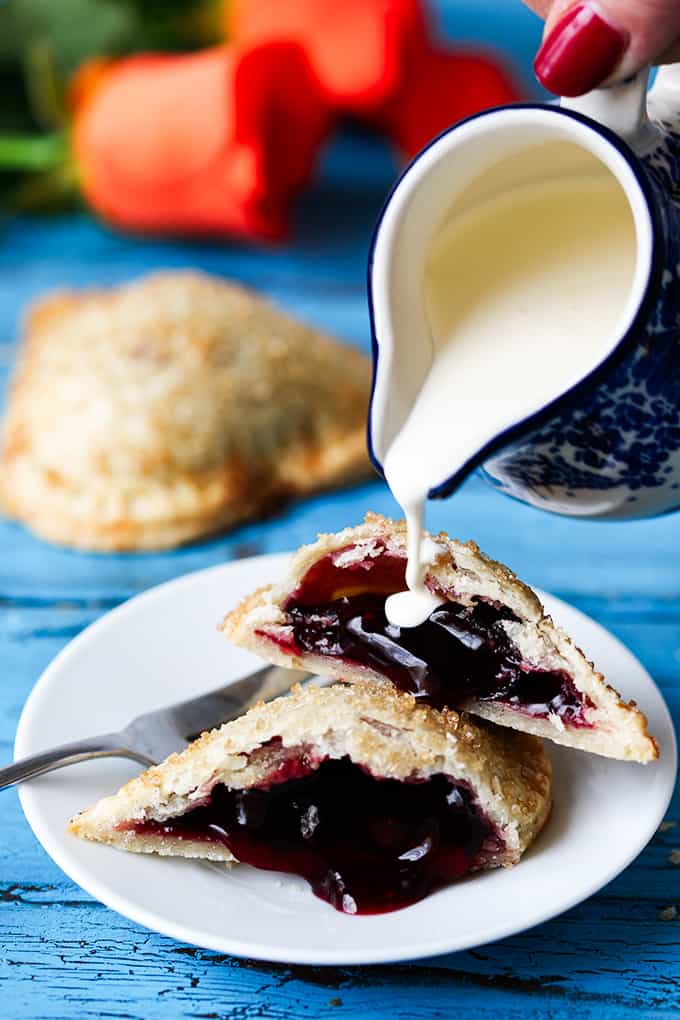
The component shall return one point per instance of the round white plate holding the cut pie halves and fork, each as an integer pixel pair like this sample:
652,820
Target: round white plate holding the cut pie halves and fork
163,647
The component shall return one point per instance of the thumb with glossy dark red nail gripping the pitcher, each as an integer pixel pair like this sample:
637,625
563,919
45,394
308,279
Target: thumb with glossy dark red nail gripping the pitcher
601,42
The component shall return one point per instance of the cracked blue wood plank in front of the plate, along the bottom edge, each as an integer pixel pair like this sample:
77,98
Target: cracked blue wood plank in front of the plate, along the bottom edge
88,955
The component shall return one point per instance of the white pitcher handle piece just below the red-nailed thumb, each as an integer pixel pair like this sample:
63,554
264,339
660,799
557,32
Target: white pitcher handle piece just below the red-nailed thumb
622,109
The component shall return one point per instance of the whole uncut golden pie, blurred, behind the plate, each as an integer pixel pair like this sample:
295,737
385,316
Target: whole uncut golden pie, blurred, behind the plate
179,405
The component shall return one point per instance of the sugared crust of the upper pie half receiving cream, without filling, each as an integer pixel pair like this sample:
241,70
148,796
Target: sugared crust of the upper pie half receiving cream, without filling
459,572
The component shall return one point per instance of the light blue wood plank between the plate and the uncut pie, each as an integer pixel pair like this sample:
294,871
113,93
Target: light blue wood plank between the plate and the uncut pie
569,557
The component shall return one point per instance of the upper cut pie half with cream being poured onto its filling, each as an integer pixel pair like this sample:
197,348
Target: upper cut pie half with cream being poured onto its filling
490,649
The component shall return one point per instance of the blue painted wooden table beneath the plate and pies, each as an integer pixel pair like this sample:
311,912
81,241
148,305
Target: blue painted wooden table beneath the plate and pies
64,955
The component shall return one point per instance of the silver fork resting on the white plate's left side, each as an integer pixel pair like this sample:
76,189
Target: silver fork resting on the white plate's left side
152,737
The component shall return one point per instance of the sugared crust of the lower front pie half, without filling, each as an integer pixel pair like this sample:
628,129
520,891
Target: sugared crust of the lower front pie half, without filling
379,728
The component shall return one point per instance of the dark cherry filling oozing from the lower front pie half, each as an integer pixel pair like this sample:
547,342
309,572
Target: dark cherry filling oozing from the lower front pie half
367,846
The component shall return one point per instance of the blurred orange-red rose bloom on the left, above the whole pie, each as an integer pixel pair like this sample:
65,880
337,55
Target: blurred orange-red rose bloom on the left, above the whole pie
212,142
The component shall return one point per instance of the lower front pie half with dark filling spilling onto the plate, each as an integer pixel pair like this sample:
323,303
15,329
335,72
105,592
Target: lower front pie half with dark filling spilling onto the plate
374,800
